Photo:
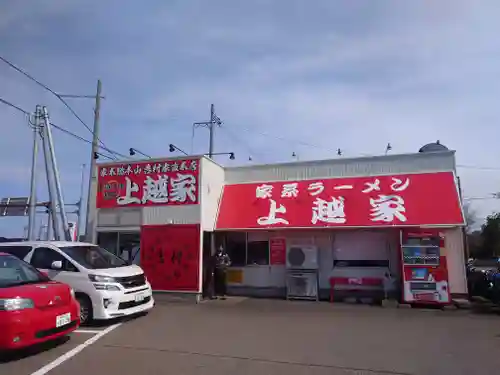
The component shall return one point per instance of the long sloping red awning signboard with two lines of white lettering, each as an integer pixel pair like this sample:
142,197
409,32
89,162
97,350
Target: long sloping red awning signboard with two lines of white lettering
396,200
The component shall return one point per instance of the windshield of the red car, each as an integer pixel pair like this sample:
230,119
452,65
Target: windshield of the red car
15,272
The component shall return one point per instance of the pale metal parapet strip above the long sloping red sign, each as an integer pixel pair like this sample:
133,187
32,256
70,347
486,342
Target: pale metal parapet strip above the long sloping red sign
368,166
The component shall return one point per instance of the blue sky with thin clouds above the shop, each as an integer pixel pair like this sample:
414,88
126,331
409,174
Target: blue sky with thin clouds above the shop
286,76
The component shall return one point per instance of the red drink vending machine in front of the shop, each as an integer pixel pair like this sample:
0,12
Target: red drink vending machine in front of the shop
425,273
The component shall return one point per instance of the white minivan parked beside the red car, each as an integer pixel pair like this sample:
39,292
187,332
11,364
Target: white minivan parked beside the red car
105,285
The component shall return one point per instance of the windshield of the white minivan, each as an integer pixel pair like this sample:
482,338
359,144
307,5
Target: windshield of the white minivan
93,257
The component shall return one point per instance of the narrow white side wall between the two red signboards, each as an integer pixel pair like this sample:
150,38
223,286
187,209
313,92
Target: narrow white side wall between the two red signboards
212,181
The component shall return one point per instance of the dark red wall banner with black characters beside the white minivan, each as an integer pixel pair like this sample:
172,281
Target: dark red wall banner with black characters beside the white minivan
170,256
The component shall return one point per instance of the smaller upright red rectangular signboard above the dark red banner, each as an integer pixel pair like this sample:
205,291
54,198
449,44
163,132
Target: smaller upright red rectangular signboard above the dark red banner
166,182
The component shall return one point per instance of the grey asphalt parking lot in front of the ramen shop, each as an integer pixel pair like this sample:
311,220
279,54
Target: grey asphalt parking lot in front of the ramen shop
247,336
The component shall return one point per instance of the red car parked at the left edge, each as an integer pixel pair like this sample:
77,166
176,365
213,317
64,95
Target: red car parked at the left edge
33,308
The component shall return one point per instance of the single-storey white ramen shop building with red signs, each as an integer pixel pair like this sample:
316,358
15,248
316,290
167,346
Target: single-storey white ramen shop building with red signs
305,225
